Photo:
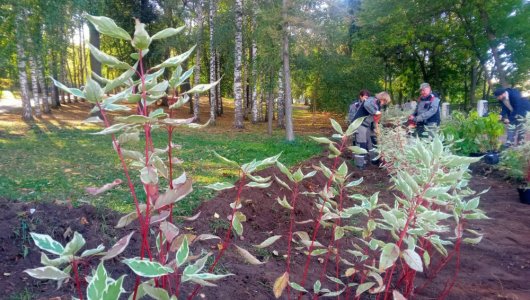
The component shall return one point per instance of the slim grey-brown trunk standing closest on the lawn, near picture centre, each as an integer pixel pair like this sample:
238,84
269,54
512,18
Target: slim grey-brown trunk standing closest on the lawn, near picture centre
289,132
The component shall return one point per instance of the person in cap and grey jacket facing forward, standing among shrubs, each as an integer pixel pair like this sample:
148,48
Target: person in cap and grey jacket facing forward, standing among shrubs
427,112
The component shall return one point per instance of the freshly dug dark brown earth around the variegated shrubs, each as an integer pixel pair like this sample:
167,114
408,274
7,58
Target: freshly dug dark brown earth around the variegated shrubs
497,268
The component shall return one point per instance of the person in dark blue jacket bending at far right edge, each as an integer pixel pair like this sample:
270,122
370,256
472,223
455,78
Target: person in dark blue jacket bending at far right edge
514,110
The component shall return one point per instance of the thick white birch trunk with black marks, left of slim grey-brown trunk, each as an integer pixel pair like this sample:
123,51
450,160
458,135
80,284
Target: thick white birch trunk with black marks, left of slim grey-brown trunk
238,90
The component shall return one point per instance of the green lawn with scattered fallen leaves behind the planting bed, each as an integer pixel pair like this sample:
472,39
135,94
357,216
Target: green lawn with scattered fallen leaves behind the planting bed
54,163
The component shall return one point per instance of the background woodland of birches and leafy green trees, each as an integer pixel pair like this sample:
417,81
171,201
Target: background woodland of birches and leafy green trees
321,52
